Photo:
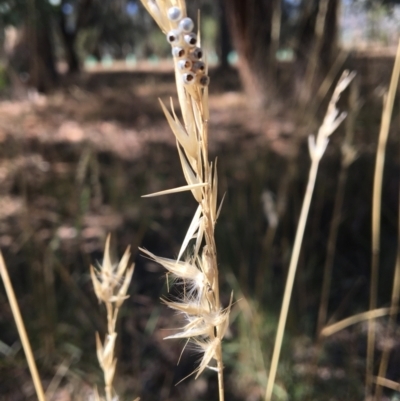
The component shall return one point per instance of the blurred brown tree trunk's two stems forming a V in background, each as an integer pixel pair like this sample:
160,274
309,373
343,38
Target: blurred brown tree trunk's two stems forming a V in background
255,27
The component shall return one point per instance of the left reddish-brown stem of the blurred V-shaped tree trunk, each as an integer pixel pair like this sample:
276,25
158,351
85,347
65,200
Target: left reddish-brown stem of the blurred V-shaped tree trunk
250,24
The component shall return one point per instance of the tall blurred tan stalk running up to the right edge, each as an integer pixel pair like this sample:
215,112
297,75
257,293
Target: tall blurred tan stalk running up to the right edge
376,214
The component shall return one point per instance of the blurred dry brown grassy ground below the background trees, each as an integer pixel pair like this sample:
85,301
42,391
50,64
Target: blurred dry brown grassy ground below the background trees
74,165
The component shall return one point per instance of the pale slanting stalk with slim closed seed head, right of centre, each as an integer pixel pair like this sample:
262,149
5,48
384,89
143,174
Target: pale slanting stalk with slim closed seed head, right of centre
317,147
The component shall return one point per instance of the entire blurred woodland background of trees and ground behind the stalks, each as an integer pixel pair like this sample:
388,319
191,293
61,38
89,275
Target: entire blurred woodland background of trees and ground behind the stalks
82,137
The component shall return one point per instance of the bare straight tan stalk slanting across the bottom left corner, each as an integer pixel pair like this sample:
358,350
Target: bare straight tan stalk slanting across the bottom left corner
21,330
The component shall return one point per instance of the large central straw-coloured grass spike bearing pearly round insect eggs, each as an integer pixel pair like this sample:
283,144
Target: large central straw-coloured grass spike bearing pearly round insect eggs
200,304
